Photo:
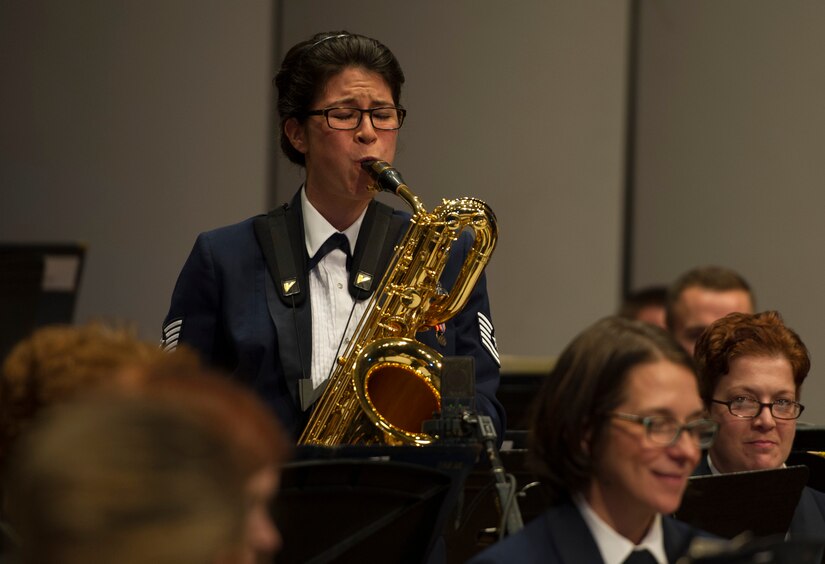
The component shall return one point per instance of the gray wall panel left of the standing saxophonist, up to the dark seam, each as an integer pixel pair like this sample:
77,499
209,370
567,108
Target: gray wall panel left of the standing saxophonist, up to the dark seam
132,126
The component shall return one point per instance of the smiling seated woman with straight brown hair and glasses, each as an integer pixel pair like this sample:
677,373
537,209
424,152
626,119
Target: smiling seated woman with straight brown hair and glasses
617,431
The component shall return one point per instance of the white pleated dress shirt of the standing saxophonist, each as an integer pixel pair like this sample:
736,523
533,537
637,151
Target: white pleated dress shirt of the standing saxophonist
330,300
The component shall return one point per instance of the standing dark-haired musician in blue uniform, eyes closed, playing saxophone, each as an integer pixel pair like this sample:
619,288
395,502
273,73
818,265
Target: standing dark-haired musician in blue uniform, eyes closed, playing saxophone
268,298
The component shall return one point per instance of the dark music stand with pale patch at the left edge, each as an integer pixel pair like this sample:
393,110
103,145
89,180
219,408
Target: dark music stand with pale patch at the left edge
38,286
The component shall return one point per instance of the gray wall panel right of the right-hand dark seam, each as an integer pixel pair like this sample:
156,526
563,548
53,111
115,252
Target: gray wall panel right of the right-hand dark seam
730,154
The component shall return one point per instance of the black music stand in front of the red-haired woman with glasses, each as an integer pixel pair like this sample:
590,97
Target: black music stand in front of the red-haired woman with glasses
761,501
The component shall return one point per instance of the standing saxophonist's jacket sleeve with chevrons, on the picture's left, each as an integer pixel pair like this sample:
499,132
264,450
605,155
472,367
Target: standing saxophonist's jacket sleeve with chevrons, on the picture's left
194,313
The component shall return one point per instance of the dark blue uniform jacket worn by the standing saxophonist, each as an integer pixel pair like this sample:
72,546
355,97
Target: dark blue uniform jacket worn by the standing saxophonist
226,306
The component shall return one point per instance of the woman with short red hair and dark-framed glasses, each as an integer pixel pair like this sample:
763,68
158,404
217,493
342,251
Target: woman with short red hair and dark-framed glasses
751,368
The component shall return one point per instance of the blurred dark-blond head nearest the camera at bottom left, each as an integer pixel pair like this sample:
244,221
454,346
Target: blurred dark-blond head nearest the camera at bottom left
127,480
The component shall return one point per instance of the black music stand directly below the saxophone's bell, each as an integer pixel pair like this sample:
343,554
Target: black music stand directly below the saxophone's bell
368,504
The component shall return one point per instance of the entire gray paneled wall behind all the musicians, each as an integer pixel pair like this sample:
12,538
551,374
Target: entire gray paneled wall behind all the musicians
133,126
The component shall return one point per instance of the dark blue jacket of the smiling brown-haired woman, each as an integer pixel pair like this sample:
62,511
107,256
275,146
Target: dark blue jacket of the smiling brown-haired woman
561,536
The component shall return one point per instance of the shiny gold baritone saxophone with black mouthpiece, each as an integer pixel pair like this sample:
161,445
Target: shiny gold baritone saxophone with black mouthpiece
386,384
